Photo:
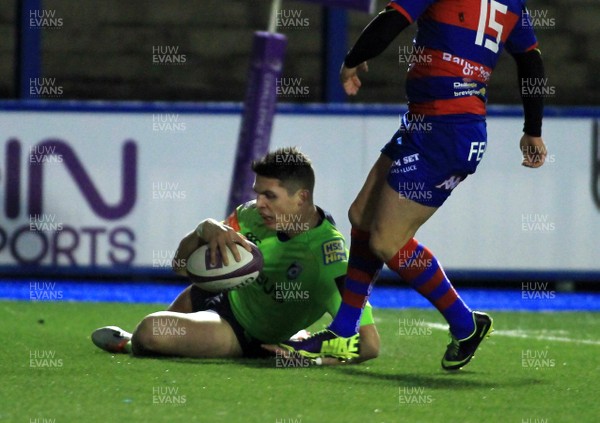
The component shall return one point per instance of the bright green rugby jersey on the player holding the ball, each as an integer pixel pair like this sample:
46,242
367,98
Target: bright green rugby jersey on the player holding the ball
298,282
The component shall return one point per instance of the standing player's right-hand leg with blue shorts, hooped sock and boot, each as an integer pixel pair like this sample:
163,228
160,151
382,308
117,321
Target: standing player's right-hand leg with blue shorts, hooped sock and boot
398,217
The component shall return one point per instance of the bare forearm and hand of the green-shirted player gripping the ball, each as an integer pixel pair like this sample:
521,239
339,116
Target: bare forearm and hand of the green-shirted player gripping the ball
210,231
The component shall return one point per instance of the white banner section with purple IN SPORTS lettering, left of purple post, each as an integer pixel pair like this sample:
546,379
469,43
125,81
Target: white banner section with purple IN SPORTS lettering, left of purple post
86,189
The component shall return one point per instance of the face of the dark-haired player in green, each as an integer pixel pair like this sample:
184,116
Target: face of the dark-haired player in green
274,203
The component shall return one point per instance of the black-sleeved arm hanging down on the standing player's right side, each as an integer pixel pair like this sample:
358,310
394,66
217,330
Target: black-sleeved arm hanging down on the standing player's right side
530,70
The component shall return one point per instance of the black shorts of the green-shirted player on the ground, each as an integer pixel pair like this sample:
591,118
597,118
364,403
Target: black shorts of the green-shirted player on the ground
219,303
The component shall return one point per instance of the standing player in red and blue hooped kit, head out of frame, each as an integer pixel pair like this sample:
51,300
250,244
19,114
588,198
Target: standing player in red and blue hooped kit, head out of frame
457,45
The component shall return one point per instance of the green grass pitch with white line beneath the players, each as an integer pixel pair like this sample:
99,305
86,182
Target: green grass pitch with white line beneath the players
536,367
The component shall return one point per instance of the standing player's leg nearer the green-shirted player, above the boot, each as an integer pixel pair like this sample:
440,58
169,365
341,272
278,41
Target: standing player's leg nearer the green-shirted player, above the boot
363,265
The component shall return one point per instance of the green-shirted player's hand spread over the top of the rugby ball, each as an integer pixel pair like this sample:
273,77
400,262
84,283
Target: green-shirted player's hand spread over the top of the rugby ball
220,236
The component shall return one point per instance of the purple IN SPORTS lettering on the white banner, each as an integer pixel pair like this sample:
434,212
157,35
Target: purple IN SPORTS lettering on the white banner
42,225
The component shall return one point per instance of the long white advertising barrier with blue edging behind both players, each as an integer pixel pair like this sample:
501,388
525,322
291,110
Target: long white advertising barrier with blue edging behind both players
101,188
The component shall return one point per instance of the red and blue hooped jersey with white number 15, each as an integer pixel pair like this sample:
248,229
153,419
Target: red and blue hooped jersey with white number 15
457,46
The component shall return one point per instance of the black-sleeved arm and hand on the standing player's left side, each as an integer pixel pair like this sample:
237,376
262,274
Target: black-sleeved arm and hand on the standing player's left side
373,40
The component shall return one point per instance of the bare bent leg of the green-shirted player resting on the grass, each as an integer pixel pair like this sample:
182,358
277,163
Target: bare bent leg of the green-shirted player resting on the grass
200,334
